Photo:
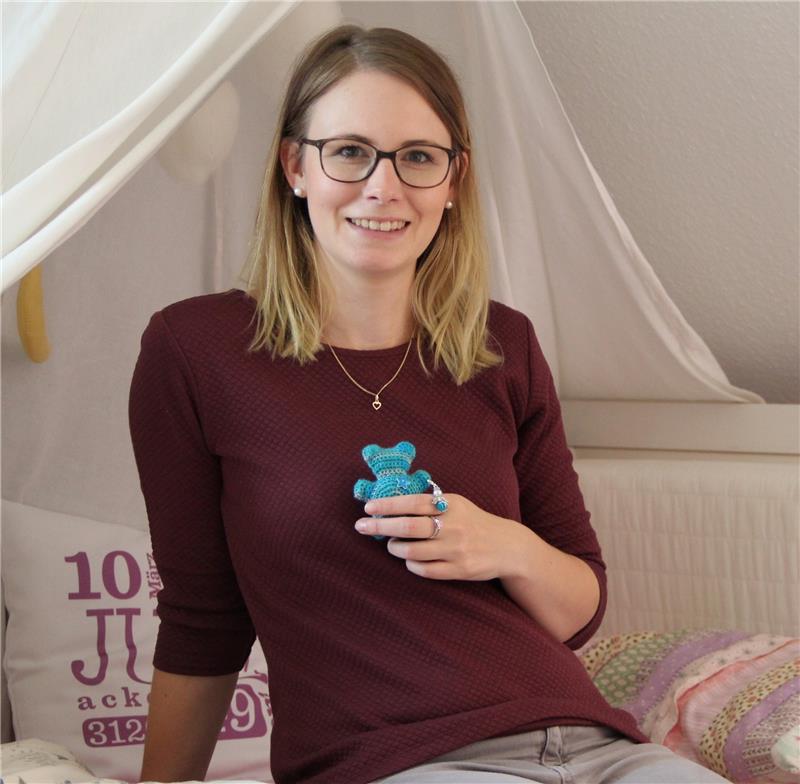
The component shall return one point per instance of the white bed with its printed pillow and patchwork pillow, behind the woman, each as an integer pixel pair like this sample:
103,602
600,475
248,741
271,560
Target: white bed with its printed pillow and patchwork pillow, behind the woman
695,505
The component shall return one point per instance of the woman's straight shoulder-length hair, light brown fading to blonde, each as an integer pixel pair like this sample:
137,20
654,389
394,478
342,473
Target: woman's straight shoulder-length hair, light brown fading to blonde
450,298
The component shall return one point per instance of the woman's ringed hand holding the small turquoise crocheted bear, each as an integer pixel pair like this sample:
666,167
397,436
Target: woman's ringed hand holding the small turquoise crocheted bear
472,545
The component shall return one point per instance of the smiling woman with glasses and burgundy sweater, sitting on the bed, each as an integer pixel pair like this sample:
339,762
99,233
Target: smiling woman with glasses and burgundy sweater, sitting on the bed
442,654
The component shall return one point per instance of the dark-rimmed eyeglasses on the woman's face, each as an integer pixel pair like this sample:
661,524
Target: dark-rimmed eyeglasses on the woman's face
351,160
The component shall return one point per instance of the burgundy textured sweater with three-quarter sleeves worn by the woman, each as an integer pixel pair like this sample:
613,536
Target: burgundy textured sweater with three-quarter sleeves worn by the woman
247,466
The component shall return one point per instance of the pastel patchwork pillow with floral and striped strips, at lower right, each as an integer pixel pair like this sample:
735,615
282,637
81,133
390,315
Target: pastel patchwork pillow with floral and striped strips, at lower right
726,699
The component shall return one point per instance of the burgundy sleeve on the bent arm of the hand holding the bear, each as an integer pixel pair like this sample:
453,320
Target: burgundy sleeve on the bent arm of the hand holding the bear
551,503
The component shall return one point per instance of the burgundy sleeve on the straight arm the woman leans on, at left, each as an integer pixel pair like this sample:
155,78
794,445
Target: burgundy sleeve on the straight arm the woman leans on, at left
205,628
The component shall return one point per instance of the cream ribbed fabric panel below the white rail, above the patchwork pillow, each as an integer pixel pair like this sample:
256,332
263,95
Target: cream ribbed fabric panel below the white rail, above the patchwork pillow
697,543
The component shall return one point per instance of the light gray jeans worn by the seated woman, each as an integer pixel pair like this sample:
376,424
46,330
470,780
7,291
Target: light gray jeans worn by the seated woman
558,755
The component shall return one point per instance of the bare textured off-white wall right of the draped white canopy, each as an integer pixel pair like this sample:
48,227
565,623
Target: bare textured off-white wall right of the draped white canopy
689,112
